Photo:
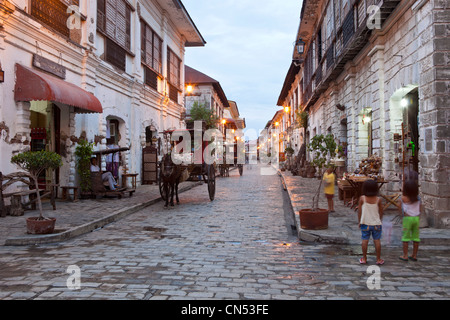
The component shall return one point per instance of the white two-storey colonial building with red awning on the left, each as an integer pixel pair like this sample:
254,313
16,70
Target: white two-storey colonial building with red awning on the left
110,71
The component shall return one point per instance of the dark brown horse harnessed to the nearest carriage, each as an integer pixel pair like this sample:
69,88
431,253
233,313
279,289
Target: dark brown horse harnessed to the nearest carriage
172,176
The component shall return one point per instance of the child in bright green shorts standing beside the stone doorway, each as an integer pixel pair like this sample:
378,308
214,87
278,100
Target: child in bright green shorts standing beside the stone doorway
411,206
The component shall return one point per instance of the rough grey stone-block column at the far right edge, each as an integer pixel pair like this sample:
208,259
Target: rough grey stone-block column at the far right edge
434,122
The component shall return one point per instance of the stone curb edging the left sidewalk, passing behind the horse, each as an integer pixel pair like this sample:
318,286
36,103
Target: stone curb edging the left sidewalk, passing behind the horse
87,227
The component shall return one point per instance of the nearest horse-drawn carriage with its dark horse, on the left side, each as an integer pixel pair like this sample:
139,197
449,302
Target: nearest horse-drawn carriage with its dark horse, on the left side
179,165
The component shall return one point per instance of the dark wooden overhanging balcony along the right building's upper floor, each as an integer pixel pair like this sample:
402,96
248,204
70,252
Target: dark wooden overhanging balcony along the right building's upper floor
349,39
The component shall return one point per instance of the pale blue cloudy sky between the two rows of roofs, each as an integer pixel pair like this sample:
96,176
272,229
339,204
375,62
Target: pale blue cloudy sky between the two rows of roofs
249,47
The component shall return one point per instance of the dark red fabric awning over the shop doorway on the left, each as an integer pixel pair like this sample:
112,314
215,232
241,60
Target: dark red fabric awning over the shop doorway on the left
33,85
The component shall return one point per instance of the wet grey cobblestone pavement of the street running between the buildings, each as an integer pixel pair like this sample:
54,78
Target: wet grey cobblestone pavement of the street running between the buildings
237,247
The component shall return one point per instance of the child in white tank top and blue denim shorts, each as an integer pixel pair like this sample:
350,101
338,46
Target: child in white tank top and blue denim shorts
370,214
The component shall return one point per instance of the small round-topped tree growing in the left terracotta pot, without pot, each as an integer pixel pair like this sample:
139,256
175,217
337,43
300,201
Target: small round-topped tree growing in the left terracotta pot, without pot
35,162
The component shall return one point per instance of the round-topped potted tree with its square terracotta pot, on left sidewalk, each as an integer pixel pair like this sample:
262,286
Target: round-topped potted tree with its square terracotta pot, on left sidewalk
35,162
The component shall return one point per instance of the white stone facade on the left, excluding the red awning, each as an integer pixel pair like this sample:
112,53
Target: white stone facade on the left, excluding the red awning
126,98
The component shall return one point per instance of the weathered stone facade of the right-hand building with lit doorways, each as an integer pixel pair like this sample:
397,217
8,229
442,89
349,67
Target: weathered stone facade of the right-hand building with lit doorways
402,64
